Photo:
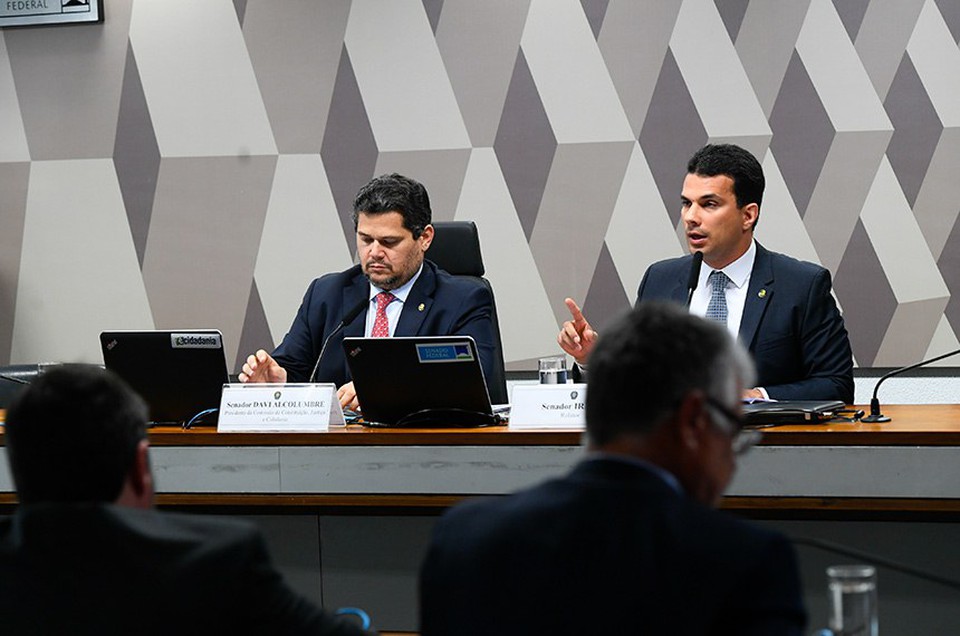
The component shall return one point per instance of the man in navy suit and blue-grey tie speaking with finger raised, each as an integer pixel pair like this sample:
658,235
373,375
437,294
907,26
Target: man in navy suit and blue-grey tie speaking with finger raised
780,308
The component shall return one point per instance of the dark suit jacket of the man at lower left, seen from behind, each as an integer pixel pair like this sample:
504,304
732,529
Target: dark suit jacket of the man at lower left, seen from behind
103,569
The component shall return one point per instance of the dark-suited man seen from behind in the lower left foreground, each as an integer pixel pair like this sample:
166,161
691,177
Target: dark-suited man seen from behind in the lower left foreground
85,553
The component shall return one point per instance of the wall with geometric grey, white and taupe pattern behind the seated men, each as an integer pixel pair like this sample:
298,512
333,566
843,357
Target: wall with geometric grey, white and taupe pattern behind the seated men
191,164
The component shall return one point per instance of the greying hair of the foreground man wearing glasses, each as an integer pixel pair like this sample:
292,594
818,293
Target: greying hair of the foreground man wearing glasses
649,359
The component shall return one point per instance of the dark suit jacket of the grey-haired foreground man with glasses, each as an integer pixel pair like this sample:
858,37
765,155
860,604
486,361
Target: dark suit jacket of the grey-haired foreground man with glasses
608,549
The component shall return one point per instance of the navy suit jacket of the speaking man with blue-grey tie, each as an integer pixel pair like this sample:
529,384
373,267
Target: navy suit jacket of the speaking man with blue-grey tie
790,325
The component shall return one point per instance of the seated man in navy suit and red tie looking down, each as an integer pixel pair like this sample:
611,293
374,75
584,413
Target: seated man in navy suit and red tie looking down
392,217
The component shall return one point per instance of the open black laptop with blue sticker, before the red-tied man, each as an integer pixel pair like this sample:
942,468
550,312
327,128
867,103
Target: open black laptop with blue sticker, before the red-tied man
419,381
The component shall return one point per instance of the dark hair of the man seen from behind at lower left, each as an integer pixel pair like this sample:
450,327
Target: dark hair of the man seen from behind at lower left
72,435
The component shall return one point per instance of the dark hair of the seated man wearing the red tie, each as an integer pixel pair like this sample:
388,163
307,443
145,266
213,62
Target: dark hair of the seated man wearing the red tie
395,193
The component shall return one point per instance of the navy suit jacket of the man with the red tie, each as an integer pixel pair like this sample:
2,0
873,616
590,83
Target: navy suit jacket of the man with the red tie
438,305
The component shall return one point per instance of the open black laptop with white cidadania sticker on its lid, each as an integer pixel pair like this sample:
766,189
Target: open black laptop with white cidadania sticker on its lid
179,373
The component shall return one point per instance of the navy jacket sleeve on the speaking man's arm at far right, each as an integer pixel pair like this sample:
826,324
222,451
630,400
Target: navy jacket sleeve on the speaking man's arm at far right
826,356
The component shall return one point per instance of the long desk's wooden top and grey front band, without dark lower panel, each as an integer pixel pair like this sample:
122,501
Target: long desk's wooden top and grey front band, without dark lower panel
911,464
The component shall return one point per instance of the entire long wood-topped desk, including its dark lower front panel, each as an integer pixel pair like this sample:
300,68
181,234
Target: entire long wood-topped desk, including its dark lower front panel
370,496
